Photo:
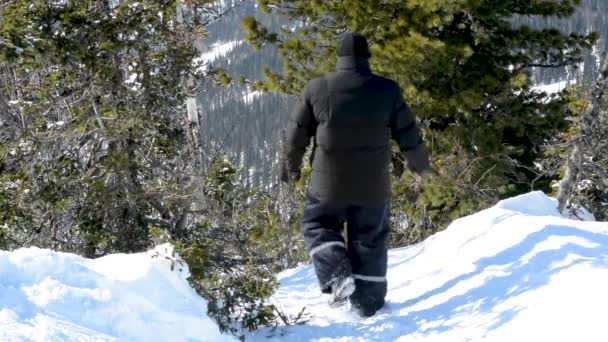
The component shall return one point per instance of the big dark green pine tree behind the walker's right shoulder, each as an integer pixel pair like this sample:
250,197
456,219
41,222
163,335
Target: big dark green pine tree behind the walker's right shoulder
464,68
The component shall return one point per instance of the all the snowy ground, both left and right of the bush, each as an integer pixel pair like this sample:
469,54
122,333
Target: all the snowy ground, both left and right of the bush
516,272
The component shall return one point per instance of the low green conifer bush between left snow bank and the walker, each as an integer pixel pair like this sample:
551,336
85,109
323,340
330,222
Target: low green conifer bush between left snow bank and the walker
239,241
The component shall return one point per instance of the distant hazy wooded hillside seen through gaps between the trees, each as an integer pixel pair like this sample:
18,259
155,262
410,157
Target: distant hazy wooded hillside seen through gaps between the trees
250,127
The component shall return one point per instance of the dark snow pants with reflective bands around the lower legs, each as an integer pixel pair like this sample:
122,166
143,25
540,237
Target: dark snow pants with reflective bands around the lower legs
362,255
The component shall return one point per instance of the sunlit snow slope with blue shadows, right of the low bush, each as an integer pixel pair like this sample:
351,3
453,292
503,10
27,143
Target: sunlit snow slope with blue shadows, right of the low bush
516,272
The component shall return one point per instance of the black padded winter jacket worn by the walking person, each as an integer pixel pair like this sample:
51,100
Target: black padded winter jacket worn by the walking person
352,114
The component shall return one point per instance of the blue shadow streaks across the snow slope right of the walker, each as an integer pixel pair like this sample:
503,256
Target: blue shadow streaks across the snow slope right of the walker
522,276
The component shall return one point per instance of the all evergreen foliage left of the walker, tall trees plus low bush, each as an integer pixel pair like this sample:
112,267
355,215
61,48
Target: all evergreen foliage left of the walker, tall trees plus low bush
99,155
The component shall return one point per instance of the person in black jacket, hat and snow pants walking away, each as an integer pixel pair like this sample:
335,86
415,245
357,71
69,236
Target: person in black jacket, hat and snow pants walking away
352,114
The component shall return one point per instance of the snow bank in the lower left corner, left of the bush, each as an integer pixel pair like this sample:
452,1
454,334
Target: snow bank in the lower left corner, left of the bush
49,296
